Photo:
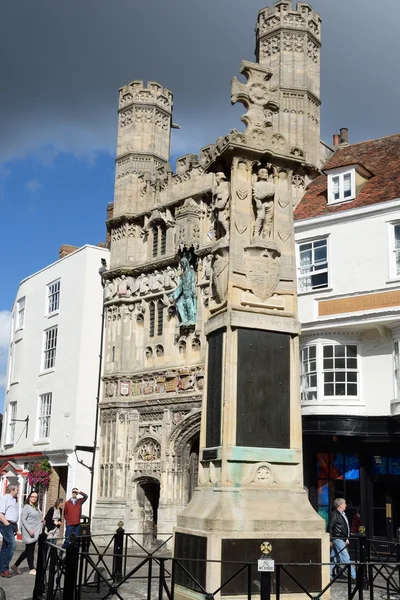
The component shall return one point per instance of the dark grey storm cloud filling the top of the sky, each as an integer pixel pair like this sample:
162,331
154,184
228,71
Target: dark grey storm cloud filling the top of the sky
63,62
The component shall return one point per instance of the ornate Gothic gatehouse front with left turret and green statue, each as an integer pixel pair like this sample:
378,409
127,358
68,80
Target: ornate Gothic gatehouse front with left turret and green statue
158,228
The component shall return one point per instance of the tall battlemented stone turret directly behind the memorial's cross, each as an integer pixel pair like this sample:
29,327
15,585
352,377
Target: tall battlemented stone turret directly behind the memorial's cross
288,43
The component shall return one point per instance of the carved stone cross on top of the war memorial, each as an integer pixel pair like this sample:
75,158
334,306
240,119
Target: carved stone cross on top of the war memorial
261,102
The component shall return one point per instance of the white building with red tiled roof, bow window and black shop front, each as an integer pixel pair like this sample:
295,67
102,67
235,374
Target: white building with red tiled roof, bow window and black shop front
348,264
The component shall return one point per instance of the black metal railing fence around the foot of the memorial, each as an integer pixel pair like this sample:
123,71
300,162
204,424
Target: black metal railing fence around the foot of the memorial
125,569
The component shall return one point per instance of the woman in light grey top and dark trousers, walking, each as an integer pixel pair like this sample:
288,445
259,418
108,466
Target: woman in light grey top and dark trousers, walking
31,527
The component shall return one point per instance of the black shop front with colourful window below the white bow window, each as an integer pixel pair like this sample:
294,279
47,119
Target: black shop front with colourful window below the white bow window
357,458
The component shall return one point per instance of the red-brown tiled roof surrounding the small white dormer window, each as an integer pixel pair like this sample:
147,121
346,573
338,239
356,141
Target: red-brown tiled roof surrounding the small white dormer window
381,157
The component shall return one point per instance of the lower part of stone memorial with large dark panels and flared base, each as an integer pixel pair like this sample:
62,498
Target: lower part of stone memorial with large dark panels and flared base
250,481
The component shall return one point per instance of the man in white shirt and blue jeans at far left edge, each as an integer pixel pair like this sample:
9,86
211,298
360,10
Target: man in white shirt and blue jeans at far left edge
9,513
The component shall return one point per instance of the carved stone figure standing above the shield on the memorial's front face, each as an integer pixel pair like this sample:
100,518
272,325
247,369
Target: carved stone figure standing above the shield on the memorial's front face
263,196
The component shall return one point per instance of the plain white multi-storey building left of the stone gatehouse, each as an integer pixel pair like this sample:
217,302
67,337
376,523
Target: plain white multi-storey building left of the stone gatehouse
53,373
